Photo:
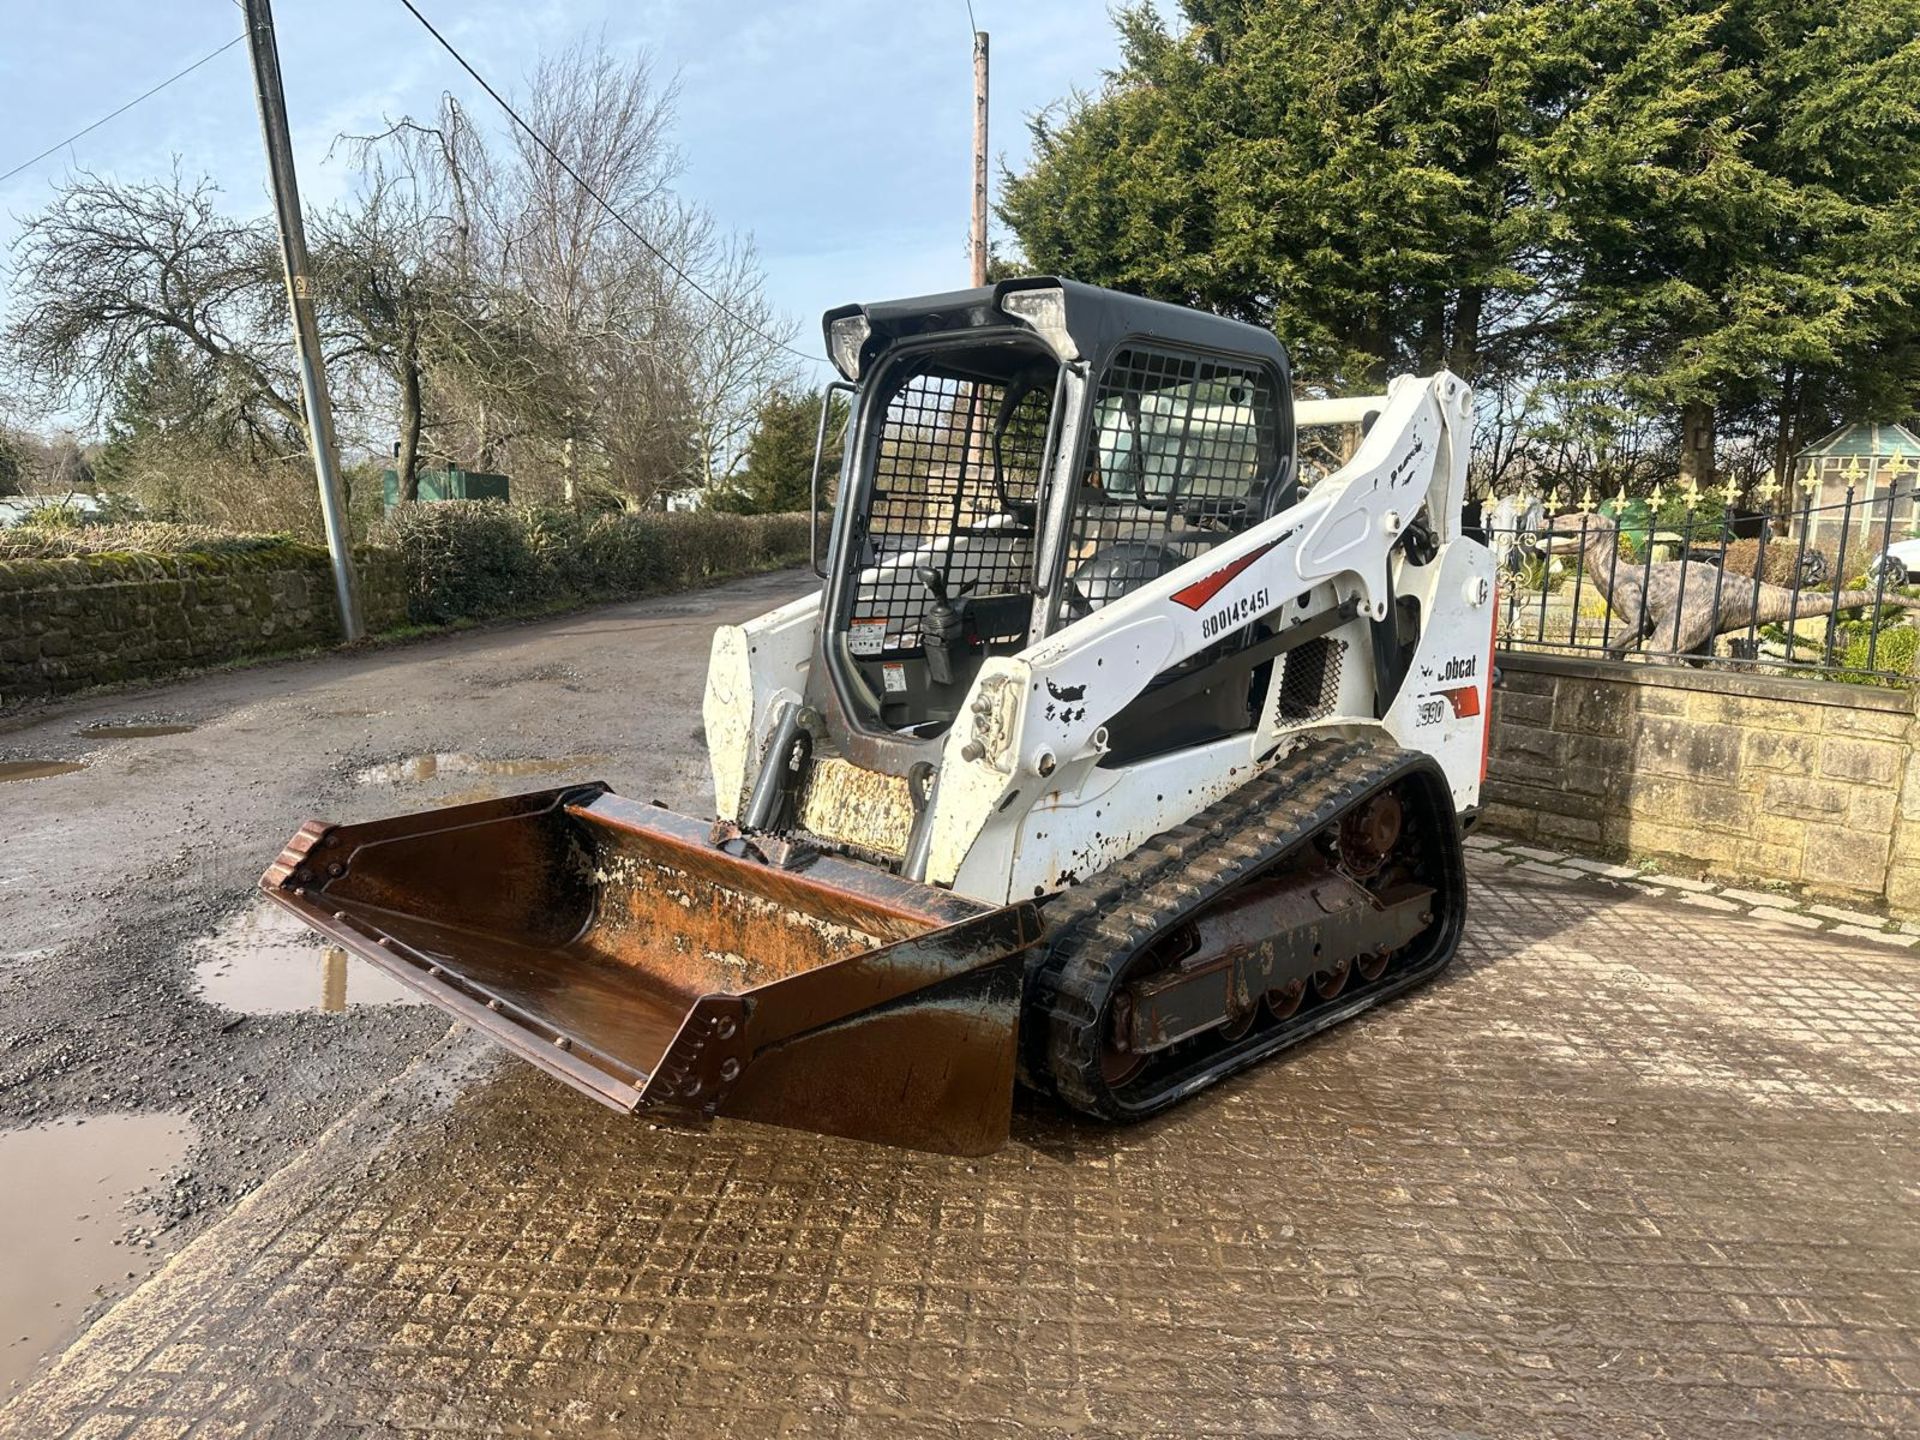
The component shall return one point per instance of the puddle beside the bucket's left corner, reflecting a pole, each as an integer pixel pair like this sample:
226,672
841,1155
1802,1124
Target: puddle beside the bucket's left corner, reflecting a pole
266,963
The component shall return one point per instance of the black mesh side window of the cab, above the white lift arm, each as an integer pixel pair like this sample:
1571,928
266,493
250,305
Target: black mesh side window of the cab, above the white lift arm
1180,460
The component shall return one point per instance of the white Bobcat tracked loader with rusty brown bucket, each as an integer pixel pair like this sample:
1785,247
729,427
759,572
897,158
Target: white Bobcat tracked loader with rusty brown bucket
1113,756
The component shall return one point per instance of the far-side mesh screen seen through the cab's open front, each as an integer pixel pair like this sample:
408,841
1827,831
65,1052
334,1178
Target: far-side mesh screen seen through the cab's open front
942,504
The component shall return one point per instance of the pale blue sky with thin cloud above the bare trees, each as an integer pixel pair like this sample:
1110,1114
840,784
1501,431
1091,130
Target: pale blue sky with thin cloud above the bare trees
836,132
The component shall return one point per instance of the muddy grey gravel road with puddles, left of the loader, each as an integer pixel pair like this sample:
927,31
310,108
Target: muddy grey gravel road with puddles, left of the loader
168,1038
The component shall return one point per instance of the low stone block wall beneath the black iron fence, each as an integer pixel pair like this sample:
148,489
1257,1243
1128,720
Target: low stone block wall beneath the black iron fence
1740,777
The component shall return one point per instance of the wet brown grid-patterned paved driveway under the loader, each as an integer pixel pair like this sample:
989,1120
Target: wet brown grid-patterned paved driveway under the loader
1627,1170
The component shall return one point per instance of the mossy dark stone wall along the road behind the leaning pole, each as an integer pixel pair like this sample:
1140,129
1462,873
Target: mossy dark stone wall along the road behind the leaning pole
107,619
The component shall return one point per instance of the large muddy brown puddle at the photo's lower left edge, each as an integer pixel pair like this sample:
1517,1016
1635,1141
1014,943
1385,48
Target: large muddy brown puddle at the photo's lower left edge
64,1218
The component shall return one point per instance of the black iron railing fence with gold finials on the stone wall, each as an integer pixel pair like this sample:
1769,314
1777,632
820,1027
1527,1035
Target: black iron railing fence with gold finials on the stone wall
1813,590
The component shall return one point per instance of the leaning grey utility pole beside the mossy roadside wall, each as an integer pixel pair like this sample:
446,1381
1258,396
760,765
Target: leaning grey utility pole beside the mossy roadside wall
300,299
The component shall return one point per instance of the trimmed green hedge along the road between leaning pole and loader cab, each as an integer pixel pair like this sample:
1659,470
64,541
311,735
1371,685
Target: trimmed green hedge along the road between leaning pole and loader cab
473,560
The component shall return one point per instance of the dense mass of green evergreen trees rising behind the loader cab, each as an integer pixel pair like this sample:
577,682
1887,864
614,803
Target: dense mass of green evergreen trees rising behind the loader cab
1706,210
